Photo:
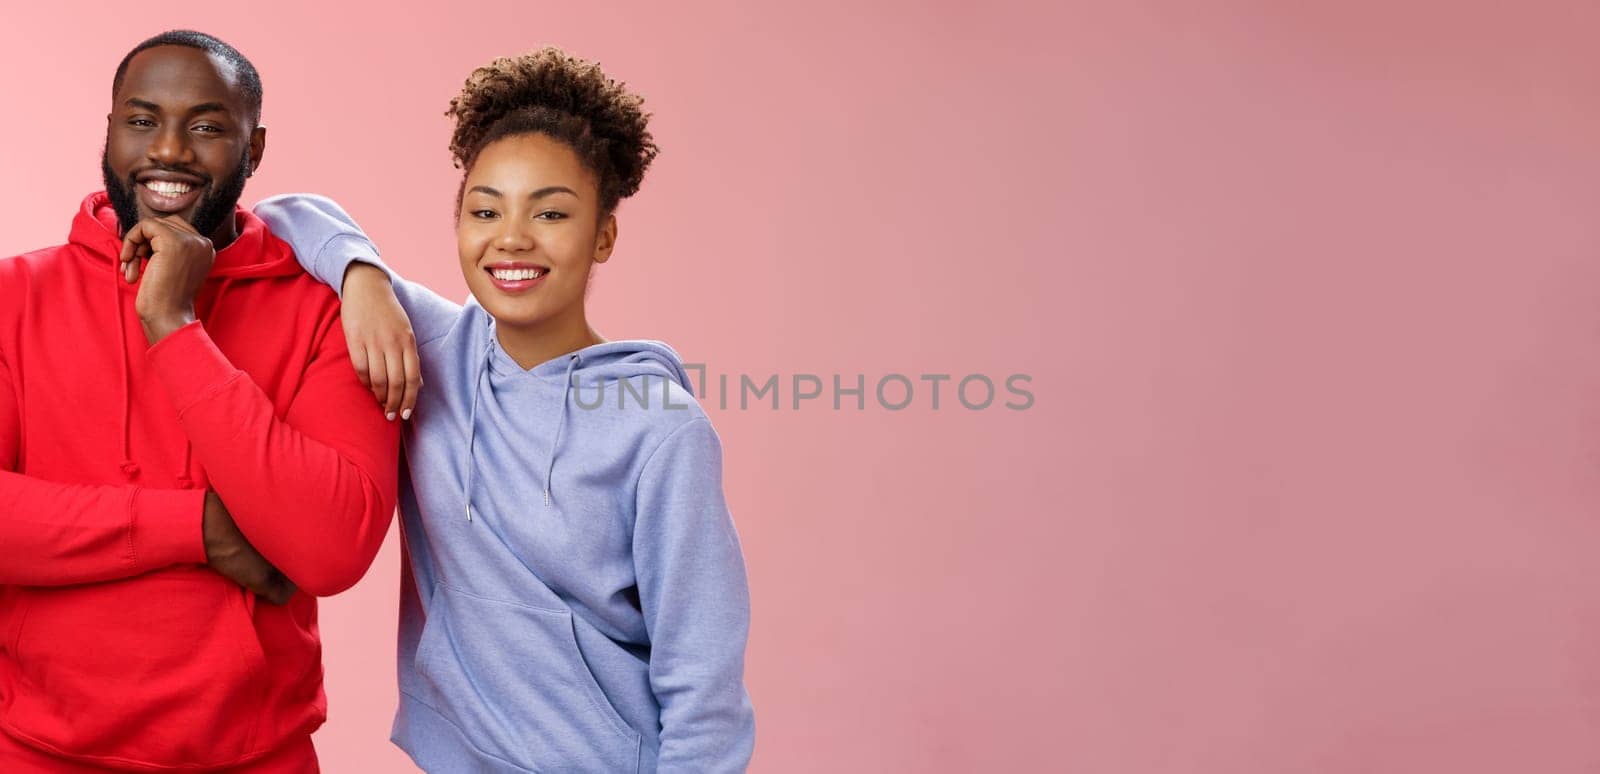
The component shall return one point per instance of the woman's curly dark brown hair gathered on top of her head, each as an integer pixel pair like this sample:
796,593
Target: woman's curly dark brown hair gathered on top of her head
554,94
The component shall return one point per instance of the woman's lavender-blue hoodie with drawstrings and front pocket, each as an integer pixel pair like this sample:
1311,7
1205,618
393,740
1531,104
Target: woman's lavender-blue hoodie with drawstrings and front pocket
574,596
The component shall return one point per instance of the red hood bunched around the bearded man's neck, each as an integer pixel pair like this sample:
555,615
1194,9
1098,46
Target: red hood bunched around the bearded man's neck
255,253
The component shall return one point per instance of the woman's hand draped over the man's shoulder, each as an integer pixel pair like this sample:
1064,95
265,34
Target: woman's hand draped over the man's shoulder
382,343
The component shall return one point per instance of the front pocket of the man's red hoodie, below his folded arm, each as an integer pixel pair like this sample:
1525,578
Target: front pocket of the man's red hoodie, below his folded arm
159,671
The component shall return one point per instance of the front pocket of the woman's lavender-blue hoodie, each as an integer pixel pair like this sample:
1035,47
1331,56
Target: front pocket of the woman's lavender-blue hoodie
514,680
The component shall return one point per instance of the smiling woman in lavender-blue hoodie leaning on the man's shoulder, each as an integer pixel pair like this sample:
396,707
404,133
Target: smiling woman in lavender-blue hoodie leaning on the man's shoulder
577,596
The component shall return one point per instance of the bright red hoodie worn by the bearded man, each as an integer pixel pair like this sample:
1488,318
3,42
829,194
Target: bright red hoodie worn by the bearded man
118,645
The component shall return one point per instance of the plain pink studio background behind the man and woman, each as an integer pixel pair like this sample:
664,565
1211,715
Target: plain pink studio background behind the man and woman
1310,298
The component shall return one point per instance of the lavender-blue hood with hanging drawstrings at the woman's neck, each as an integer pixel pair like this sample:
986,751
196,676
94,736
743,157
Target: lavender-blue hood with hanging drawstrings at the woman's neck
591,369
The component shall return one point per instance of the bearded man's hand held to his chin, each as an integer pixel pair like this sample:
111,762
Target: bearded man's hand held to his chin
180,260
